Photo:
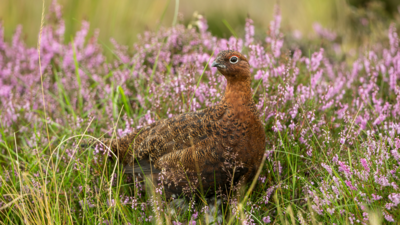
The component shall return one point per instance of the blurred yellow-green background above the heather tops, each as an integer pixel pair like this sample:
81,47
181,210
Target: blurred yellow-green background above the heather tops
123,20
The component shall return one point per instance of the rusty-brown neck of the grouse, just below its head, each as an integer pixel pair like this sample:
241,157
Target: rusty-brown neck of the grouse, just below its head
238,93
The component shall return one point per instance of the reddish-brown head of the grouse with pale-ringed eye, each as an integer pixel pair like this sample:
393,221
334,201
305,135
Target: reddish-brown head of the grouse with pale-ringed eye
232,64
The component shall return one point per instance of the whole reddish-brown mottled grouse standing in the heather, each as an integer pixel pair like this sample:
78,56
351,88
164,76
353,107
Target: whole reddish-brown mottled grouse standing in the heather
199,143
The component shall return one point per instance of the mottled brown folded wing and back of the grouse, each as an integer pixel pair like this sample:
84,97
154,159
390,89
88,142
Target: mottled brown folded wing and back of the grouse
167,136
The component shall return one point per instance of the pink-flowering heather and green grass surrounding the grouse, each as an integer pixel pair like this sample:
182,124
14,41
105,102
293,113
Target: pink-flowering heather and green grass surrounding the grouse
332,124
